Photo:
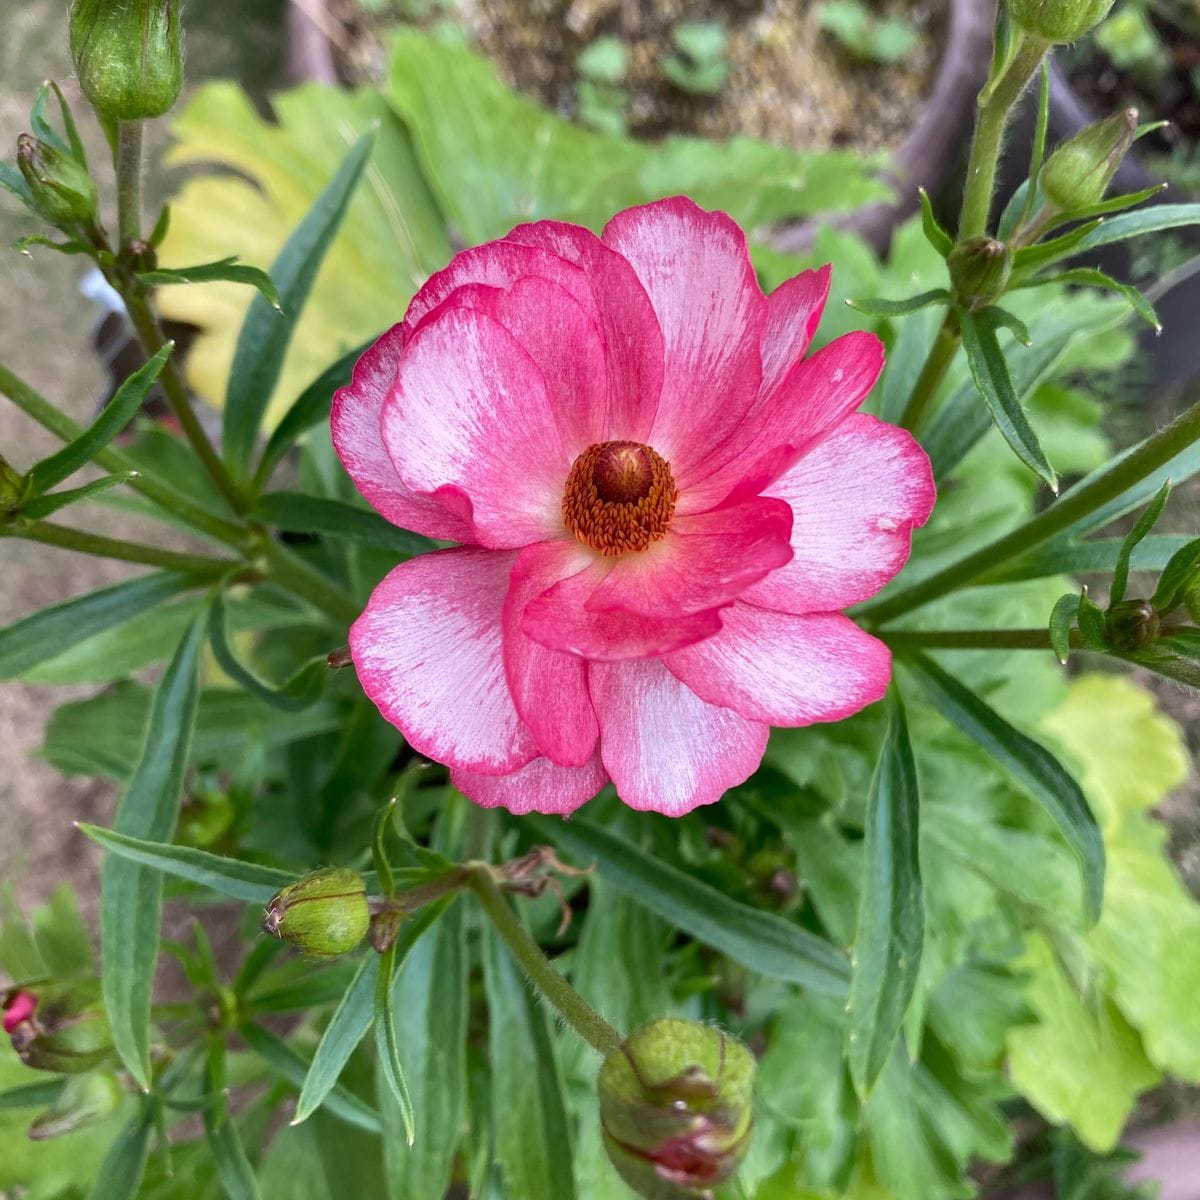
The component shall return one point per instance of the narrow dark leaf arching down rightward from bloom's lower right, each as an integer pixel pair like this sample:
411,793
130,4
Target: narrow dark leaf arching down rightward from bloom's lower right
1030,764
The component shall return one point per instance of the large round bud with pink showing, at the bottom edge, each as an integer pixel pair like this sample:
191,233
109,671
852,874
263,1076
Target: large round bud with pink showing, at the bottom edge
676,1108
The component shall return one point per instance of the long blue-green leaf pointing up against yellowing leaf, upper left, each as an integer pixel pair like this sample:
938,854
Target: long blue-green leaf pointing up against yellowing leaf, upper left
267,332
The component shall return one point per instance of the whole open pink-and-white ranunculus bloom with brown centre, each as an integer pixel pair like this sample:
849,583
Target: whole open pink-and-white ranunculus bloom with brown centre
663,508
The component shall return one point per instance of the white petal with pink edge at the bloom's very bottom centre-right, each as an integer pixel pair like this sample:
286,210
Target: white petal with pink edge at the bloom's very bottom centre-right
667,751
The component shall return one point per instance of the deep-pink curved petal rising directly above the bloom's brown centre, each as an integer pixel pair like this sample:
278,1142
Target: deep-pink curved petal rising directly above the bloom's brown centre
633,339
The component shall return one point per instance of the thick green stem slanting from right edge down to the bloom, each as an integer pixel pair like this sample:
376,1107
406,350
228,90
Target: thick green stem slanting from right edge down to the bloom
1084,499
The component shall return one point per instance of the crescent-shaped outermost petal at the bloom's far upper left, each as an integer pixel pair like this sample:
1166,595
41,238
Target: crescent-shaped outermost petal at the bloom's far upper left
358,410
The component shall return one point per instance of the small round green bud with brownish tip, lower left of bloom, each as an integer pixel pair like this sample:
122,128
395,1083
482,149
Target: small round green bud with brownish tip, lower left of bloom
323,915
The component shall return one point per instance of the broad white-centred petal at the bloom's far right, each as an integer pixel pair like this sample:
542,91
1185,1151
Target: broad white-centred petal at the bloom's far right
856,497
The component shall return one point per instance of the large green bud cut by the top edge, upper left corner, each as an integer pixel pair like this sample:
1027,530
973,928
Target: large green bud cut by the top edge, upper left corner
128,56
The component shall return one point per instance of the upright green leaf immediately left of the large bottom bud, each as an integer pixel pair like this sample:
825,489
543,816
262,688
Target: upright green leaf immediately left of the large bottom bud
533,1139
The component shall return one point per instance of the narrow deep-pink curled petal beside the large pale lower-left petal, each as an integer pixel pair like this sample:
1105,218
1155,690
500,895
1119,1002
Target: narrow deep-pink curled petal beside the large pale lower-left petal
549,687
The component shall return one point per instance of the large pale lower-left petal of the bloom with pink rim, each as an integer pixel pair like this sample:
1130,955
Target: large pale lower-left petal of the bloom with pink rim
428,652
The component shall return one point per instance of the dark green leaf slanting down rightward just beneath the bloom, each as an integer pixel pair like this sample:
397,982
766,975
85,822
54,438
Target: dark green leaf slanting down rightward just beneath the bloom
758,940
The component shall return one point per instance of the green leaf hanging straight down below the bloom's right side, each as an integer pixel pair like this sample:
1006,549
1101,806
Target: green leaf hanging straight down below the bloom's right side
892,914
